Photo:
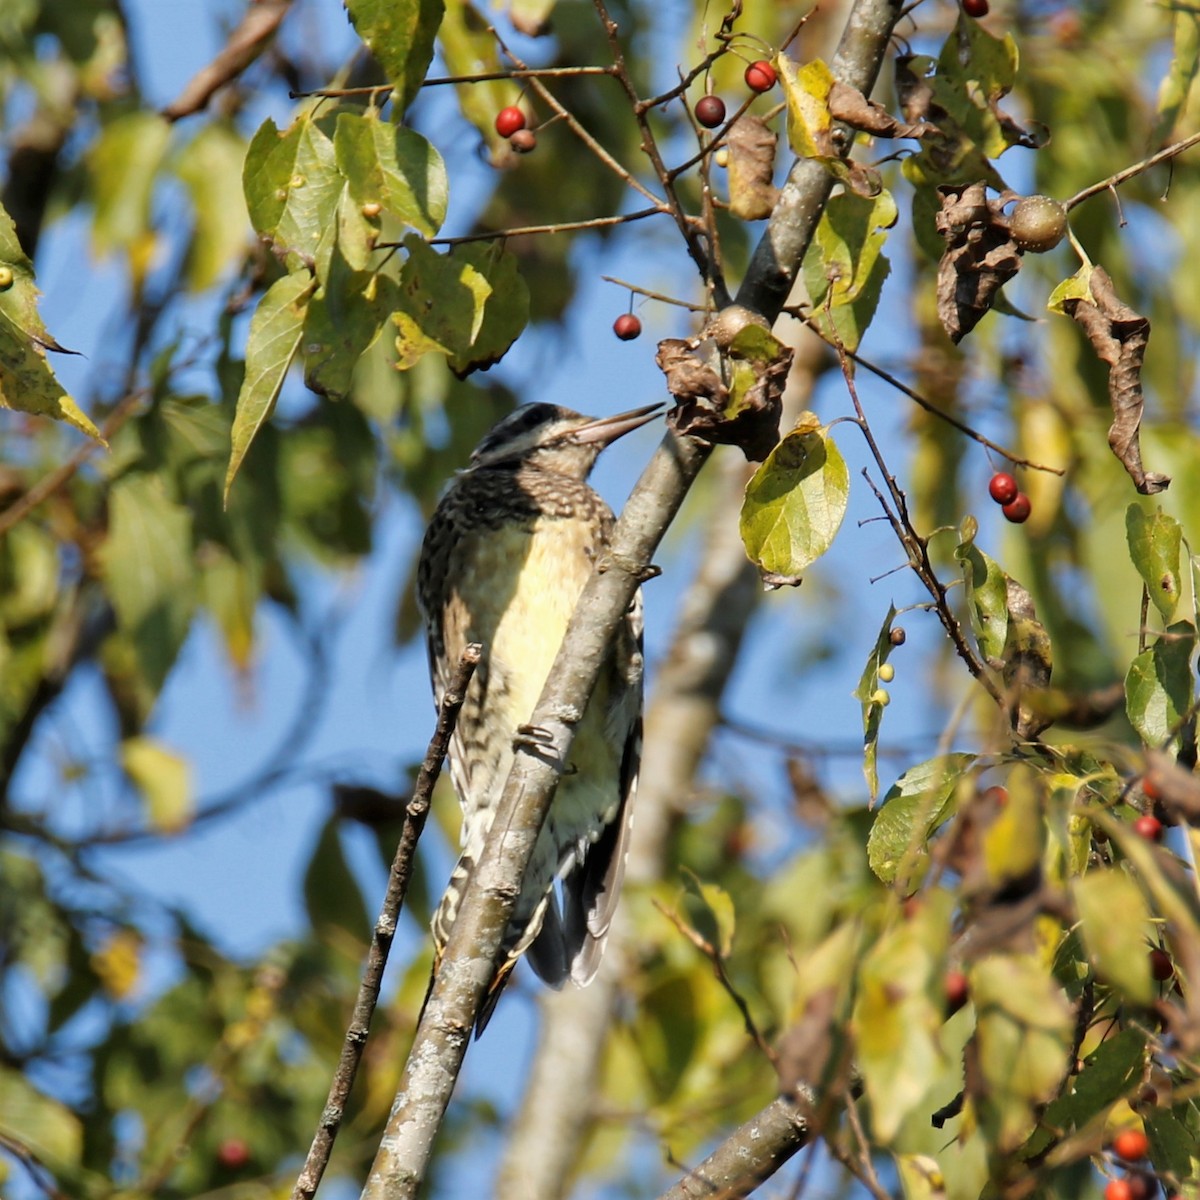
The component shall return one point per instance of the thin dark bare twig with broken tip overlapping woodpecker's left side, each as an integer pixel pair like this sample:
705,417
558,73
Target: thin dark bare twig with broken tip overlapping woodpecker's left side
386,929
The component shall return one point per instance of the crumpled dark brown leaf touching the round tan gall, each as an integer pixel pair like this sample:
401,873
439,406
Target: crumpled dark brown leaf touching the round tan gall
980,260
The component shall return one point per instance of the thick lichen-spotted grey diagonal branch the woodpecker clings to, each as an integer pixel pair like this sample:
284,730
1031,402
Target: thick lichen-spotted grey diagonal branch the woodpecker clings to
459,989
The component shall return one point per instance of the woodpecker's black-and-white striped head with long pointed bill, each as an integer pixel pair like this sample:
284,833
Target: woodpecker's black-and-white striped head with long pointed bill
555,439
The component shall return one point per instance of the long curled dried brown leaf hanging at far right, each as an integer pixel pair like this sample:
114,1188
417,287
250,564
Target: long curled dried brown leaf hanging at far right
1119,335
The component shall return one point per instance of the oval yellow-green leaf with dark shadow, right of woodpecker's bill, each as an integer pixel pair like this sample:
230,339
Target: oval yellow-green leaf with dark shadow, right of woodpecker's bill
795,502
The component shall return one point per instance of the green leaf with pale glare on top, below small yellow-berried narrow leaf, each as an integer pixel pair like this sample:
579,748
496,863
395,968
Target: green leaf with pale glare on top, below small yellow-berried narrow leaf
916,805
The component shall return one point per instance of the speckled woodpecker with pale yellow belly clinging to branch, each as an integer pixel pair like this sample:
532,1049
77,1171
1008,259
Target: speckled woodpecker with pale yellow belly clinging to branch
503,562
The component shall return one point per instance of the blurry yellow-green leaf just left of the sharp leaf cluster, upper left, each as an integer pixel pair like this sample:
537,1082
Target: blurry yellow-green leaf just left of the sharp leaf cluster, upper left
211,169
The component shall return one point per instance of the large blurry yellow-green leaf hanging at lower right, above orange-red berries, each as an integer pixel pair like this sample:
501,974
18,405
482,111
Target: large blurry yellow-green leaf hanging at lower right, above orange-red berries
1023,1037
